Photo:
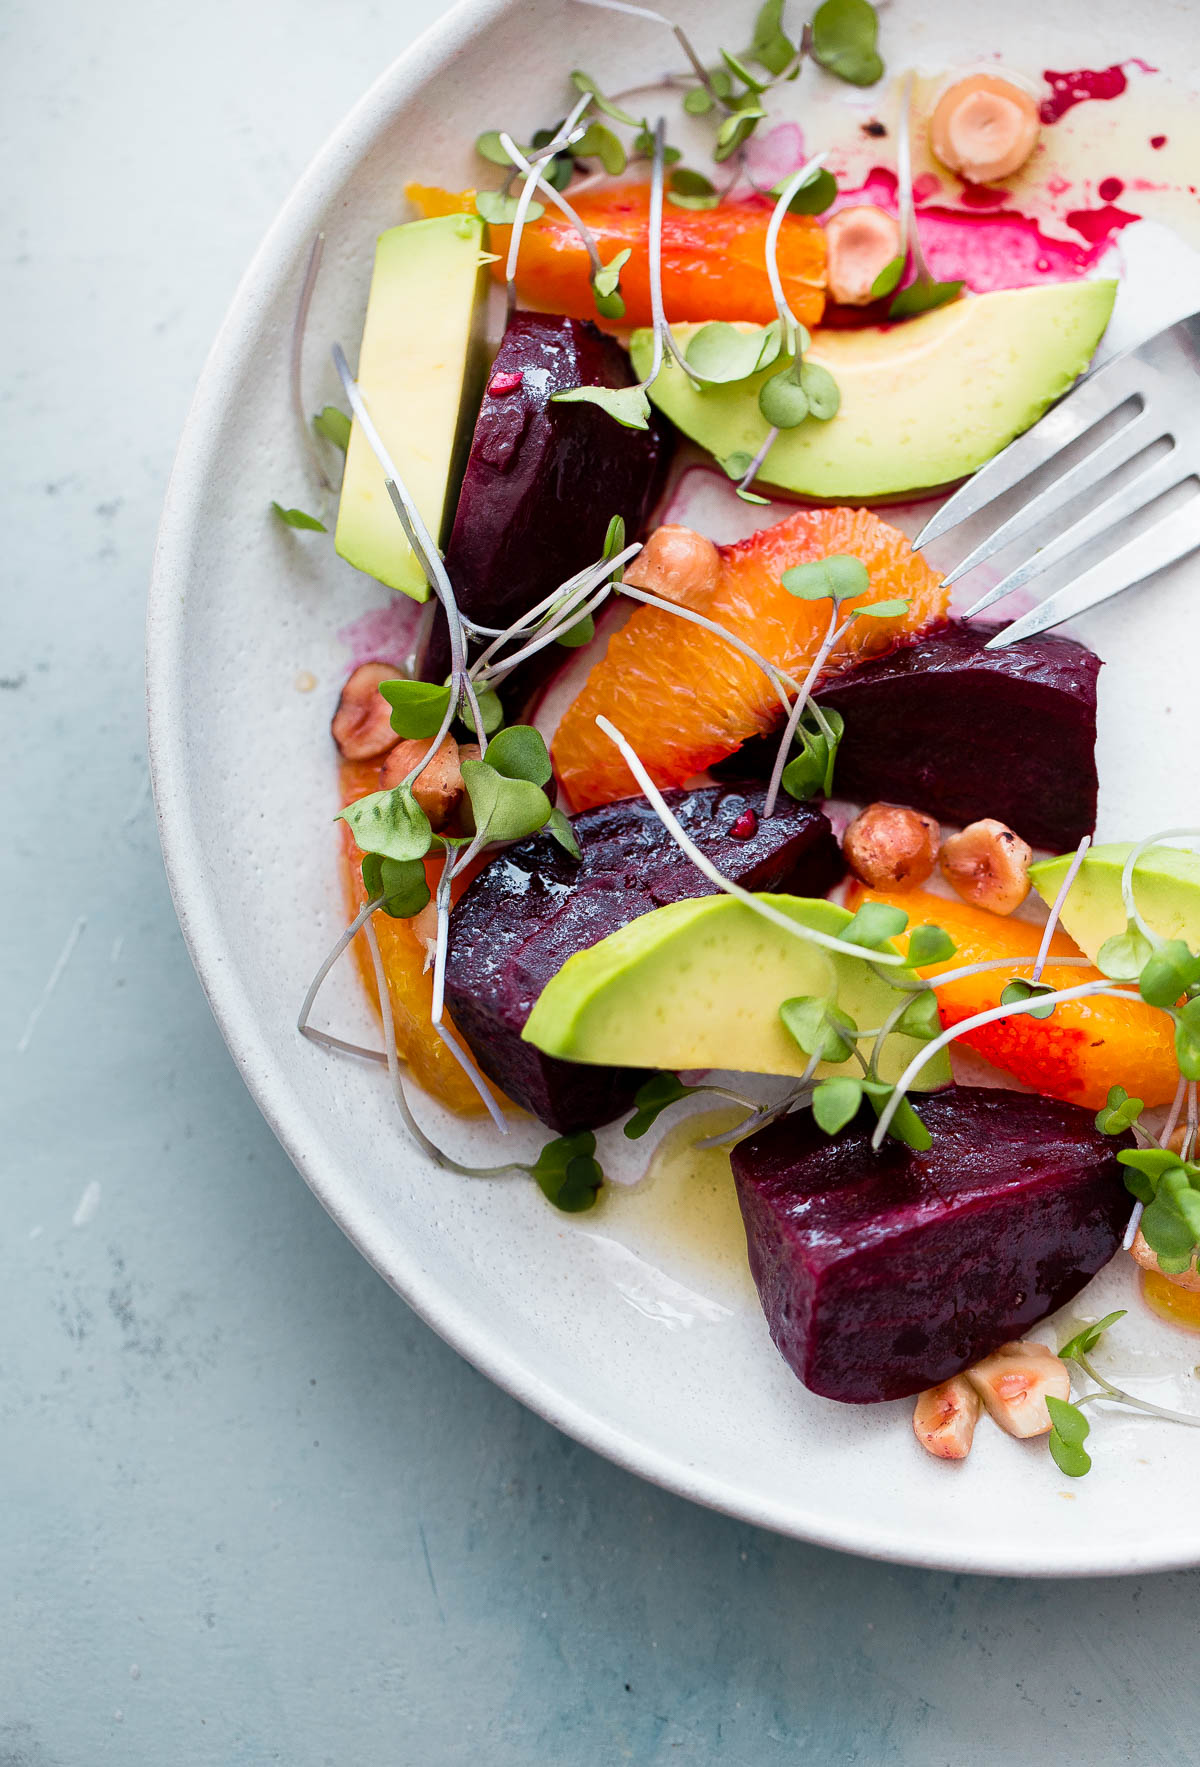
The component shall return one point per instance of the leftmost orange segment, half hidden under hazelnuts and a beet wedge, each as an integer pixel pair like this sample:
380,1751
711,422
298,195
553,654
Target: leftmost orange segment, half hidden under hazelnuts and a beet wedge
409,985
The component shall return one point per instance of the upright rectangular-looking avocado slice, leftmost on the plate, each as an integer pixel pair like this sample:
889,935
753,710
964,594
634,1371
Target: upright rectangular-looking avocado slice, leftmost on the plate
422,372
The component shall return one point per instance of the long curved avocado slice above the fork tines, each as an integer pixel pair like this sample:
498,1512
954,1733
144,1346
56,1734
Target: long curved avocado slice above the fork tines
923,404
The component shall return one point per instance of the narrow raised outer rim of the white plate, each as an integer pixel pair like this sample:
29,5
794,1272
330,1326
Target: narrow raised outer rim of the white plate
266,1079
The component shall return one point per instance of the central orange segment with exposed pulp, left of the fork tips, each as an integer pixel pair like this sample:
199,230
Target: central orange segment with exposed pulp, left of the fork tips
685,699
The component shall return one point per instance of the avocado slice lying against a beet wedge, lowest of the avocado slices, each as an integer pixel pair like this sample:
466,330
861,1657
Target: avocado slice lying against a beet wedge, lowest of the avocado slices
701,985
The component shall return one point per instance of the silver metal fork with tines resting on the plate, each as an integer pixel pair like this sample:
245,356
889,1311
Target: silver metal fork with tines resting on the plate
1164,379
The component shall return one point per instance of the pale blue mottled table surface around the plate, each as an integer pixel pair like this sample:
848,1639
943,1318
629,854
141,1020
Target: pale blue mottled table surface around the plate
252,1510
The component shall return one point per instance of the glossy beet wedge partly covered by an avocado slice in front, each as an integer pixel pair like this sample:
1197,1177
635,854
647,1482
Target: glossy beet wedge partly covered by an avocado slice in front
535,907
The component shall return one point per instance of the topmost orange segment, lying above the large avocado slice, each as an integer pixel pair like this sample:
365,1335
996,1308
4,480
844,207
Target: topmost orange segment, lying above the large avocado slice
715,261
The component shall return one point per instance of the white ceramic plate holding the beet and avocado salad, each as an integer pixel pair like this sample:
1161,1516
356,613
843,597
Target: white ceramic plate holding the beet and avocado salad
627,1330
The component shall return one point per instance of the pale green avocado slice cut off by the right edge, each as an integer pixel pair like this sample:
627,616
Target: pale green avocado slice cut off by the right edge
1166,884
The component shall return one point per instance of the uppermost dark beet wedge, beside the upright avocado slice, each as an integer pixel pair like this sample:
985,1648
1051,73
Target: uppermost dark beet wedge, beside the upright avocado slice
543,482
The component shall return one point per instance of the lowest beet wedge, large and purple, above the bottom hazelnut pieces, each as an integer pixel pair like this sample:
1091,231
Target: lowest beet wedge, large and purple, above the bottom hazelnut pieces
885,1273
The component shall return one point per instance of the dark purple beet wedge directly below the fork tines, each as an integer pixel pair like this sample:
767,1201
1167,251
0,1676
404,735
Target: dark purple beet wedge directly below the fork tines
945,725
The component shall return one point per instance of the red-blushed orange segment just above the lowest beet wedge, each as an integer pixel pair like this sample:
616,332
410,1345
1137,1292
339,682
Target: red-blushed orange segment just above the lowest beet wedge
1079,1054
